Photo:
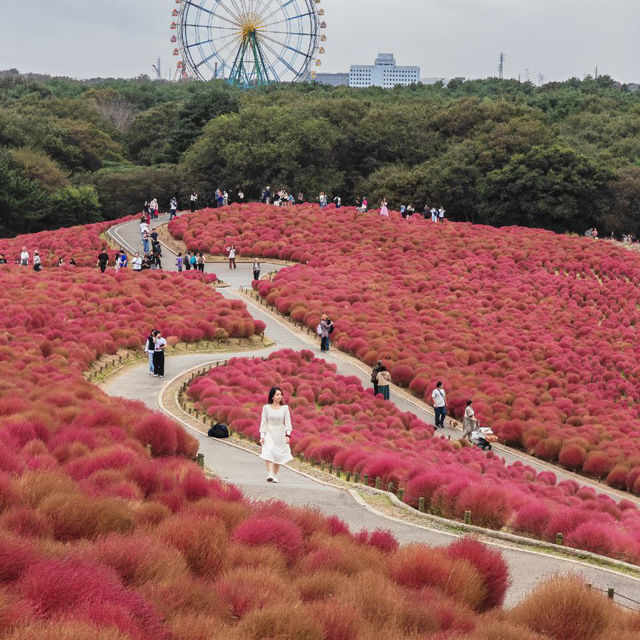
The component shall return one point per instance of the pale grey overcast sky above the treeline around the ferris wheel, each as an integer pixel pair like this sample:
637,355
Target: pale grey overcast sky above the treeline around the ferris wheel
556,39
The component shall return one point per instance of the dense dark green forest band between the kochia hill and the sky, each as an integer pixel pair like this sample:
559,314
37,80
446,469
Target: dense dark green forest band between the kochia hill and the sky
564,156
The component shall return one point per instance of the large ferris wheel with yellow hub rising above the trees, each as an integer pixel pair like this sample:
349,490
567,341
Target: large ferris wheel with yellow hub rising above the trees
249,42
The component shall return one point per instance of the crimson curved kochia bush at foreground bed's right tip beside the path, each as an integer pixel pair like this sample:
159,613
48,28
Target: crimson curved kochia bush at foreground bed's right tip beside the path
491,566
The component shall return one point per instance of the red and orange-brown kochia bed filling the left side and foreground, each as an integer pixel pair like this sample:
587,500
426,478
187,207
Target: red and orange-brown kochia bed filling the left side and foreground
100,540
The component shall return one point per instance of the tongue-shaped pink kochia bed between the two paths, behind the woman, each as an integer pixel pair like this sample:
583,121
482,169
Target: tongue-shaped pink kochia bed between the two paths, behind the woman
337,421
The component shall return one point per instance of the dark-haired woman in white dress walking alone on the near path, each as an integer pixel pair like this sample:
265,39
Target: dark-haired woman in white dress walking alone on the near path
275,434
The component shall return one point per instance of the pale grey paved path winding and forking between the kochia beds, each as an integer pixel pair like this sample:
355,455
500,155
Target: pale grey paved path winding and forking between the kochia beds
244,469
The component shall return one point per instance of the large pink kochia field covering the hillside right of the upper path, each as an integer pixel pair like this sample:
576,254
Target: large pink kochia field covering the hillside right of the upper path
539,329
